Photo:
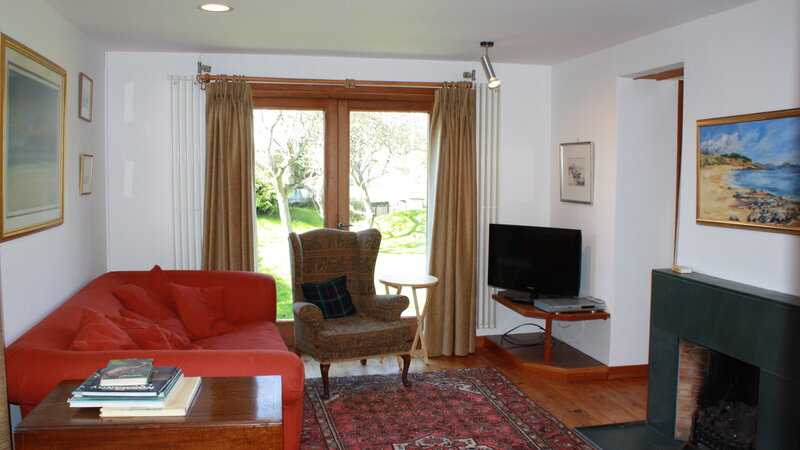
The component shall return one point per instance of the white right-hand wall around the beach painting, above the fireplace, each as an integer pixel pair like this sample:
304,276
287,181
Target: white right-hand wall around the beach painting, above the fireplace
740,61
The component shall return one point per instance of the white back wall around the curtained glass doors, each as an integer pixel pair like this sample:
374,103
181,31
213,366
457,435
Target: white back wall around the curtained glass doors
140,220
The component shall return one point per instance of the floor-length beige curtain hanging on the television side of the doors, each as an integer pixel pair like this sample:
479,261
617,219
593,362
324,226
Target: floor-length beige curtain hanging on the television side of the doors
450,324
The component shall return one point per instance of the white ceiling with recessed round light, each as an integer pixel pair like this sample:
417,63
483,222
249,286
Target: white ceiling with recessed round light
525,31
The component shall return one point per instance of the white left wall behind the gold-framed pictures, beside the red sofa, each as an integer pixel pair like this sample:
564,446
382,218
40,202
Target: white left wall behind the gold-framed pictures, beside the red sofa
42,270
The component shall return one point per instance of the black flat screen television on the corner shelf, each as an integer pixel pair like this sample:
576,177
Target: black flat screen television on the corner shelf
541,261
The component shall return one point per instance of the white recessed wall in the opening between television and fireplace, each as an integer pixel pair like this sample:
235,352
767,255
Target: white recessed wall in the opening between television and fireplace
645,196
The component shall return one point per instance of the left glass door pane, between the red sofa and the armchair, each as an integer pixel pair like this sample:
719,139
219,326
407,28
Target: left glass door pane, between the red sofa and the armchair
290,195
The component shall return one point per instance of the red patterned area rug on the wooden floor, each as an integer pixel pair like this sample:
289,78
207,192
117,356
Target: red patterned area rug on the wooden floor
463,409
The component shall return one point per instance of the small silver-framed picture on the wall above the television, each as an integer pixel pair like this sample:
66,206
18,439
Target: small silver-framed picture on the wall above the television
577,172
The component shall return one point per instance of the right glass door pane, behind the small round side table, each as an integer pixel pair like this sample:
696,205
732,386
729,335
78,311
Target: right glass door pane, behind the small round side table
388,186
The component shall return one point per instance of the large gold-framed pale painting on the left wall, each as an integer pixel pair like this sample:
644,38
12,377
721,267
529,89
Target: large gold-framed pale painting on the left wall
33,96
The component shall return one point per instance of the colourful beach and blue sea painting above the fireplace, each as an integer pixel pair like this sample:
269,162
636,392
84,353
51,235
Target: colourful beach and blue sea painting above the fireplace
748,171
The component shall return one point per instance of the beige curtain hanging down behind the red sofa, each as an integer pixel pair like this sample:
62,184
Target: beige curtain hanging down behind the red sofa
228,223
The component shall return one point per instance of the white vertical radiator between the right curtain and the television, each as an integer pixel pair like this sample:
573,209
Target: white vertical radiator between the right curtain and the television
487,135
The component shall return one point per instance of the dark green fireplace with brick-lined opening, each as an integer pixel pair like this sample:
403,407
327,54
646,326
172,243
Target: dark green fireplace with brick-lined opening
724,367
